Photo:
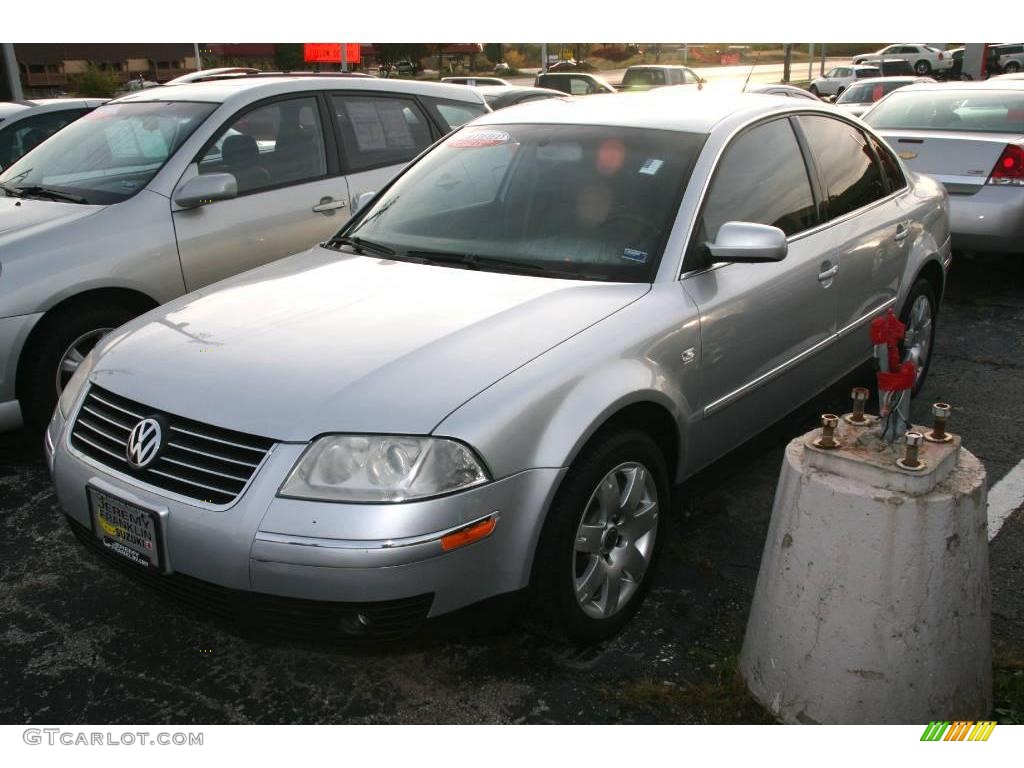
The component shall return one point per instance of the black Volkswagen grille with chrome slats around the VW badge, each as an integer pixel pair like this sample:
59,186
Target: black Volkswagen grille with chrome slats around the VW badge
198,461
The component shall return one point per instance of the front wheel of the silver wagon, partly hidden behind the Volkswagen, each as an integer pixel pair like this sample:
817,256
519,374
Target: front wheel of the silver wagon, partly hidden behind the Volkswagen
66,339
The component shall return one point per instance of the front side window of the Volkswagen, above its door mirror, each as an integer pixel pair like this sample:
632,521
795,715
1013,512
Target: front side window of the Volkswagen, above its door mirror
761,179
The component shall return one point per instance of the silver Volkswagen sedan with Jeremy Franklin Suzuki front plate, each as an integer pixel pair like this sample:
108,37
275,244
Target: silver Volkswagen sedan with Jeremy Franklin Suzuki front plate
496,373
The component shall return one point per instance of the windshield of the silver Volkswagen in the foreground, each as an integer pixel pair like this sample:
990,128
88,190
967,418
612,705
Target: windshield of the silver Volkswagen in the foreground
567,201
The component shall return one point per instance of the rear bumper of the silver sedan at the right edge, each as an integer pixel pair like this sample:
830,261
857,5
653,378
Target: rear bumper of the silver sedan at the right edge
991,221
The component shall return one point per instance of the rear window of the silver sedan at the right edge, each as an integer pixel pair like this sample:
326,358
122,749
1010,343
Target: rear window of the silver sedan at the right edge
995,112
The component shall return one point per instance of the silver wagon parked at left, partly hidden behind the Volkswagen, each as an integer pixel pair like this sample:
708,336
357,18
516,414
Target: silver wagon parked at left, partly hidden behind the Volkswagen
168,190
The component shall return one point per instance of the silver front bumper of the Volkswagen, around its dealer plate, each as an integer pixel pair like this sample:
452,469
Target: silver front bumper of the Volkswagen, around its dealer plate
339,553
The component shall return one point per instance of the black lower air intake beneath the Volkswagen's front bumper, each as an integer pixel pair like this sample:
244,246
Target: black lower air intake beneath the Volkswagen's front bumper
286,616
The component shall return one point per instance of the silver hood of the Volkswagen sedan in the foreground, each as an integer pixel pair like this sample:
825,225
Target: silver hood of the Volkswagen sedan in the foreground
328,343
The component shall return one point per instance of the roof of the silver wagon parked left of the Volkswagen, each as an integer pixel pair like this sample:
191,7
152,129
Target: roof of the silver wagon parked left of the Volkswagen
242,90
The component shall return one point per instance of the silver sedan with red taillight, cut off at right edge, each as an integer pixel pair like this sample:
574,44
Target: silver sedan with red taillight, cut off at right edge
970,137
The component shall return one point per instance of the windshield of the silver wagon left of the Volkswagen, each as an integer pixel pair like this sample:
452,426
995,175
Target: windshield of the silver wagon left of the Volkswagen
109,155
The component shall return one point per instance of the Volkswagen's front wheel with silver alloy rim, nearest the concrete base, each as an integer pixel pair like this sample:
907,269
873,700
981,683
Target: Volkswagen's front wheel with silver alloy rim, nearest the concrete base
601,543
